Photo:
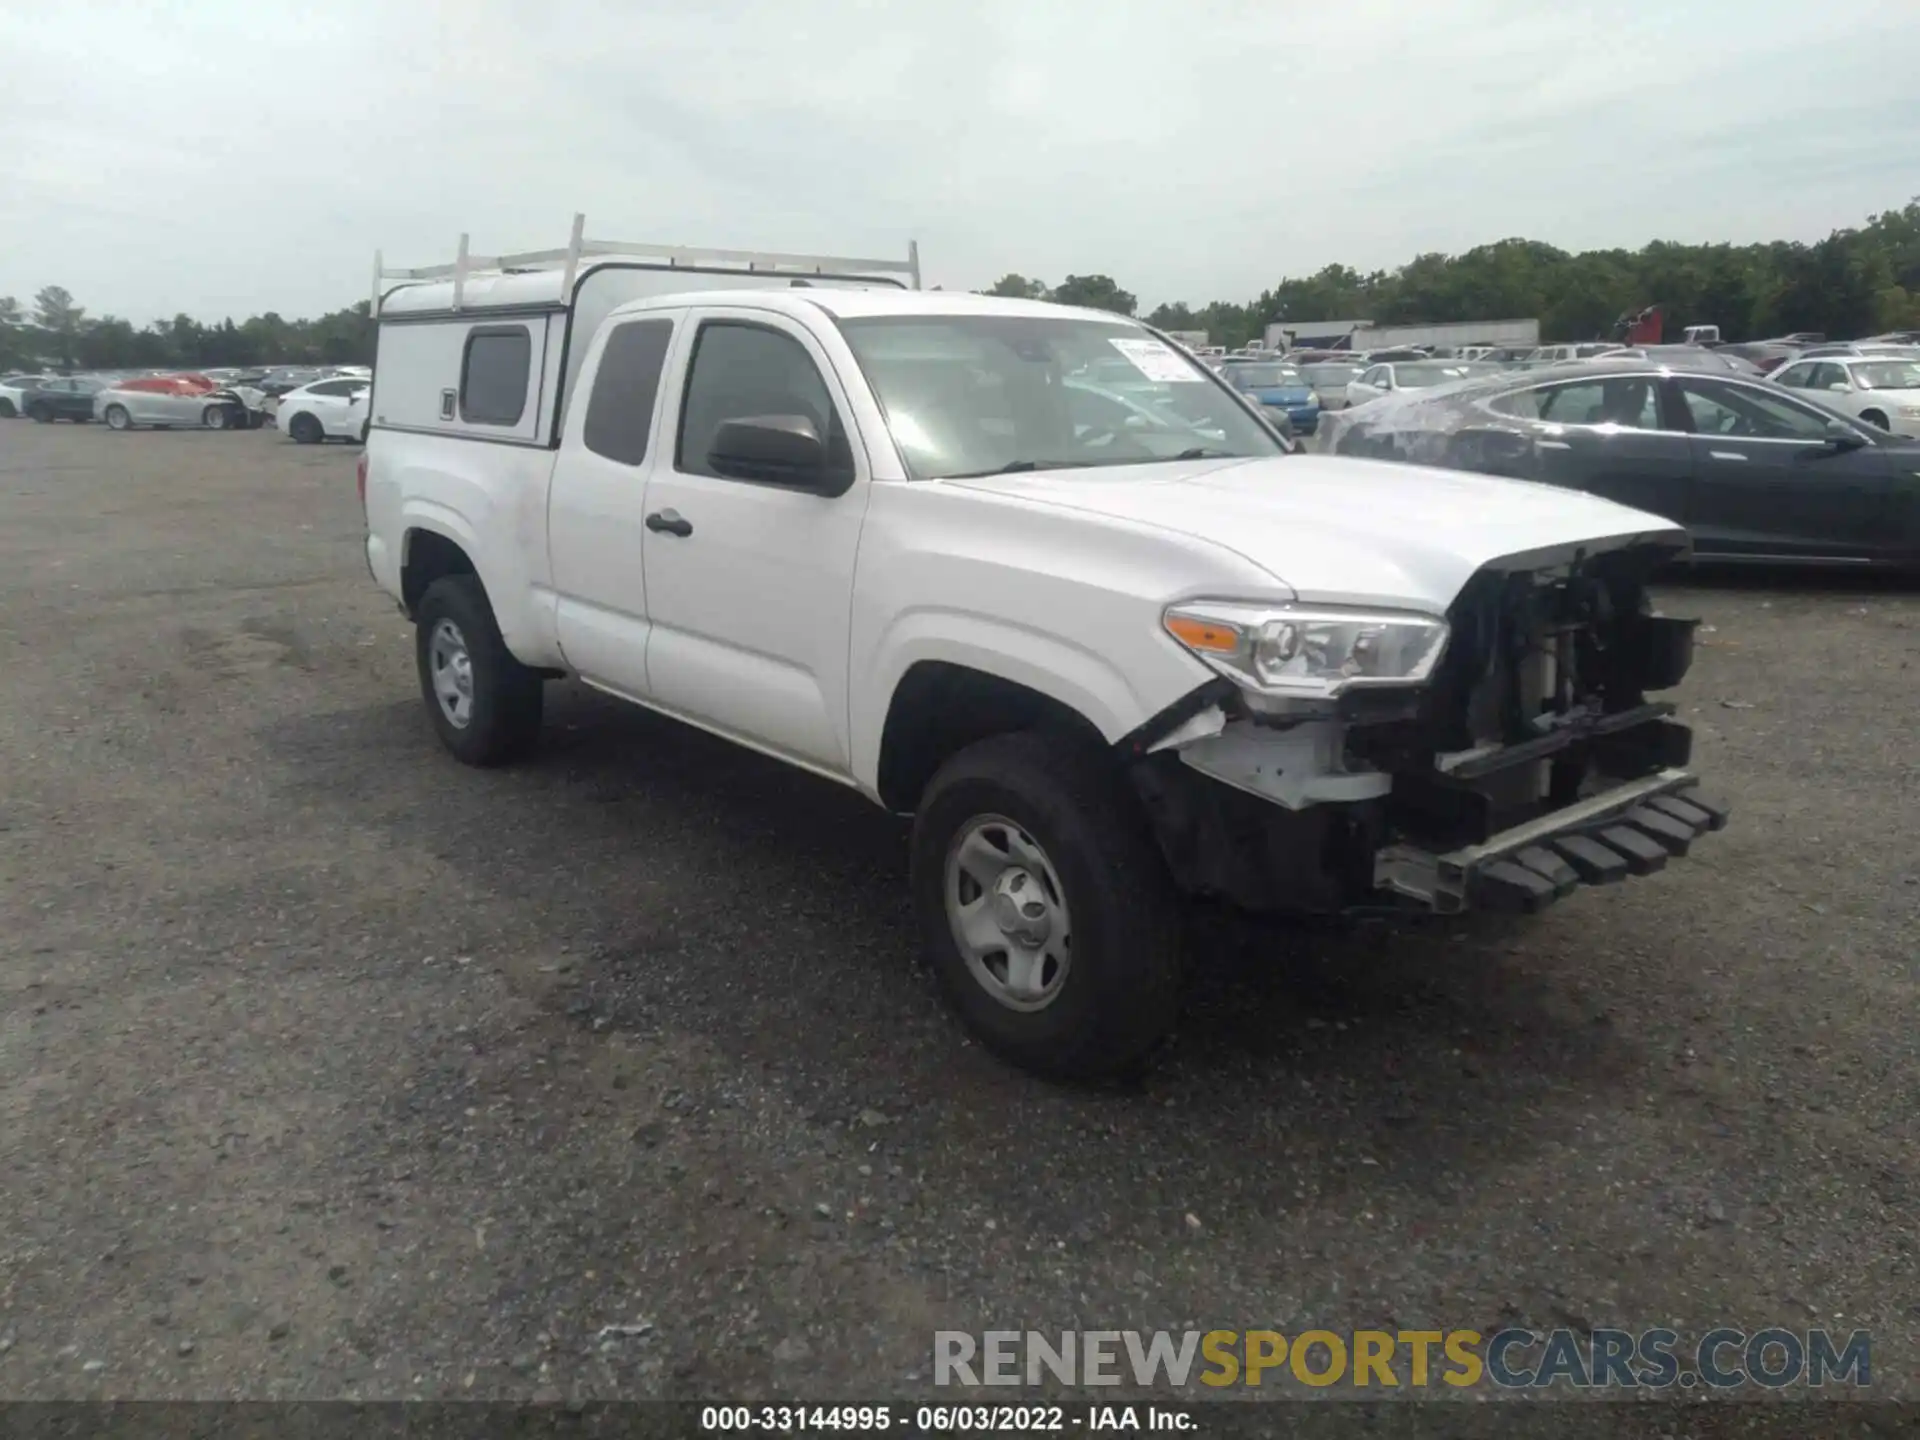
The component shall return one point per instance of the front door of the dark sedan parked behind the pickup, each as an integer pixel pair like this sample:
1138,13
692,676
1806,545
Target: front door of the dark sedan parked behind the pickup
1769,481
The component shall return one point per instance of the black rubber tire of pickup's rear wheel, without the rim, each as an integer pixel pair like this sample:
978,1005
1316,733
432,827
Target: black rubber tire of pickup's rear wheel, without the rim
506,702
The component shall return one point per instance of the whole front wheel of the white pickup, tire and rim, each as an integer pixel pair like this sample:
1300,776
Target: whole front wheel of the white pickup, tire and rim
1045,907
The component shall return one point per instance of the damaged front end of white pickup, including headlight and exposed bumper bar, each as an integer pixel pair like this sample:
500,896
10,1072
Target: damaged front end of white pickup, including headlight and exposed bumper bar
1497,759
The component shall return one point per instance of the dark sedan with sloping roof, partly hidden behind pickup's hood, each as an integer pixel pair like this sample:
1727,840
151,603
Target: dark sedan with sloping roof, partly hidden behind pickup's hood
1754,471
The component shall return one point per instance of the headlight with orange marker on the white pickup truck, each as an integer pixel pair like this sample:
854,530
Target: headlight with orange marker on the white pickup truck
1312,654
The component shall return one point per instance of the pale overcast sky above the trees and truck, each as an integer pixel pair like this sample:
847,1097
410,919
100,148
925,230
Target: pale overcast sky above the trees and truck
229,156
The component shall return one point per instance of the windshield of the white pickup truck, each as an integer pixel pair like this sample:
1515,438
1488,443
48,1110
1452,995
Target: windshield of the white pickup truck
984,395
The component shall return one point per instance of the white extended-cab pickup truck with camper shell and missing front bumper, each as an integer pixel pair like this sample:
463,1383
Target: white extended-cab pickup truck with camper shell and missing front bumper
1088,623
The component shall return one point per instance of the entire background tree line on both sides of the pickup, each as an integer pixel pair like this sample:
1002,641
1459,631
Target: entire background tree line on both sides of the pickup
1858,281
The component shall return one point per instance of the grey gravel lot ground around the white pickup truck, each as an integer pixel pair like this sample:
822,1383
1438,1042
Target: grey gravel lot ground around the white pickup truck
331,1068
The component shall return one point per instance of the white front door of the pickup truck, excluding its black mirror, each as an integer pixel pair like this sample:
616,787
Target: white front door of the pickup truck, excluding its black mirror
750,585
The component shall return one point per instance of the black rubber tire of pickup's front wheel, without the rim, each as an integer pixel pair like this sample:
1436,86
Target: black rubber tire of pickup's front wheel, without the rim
1122,988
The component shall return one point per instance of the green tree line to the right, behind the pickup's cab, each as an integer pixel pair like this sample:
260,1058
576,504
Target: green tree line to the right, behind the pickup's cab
1856,283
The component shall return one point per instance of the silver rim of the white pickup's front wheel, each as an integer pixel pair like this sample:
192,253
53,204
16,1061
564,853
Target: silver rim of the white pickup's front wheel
1009,913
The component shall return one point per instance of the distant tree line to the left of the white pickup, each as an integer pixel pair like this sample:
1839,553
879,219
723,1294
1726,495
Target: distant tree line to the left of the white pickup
57,331
